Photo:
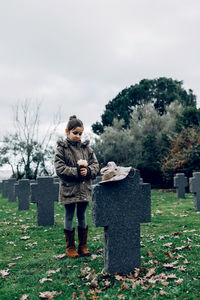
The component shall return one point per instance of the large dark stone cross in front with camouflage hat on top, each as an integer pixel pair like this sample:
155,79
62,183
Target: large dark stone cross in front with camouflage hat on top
120,207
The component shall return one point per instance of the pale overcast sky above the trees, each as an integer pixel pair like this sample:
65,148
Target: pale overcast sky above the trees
79,54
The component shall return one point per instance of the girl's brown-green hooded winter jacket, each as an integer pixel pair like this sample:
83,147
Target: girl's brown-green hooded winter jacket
73,187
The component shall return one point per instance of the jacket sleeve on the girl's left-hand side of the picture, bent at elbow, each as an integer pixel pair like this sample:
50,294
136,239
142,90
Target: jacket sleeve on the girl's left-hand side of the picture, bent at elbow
62,170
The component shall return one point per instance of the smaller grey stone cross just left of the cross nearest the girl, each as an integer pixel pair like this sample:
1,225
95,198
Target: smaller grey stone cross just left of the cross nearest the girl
22,191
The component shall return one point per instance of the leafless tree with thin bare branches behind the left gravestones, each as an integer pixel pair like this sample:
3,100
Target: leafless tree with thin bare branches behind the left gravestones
29,151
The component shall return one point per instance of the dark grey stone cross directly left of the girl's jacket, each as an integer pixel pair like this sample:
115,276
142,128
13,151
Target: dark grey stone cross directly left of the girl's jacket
44,192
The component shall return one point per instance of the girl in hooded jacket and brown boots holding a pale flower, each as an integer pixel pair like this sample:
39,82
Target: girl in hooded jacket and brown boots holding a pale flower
75,164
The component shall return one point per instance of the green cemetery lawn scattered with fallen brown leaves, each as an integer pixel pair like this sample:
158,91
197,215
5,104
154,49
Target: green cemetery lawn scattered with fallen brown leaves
33,267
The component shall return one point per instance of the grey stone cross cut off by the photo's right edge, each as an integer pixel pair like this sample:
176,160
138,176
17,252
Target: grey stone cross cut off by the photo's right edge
195,188
